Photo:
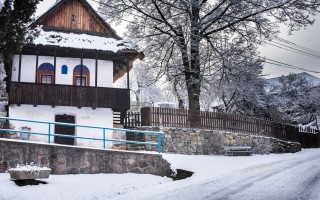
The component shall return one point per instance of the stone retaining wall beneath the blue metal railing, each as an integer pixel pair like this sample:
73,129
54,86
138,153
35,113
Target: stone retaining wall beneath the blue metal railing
74,160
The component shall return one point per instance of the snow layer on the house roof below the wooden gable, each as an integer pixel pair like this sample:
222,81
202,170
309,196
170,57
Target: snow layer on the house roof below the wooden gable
83,41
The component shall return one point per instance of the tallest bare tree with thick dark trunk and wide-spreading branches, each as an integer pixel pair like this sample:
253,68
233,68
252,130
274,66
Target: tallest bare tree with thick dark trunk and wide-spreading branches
193,27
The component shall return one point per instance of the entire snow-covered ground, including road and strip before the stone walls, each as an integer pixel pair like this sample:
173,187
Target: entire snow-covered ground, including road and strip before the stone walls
274,176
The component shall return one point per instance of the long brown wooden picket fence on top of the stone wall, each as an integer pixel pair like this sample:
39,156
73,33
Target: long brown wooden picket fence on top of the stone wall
169,117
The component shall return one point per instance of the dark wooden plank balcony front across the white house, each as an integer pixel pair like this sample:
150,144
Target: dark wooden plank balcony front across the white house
69,95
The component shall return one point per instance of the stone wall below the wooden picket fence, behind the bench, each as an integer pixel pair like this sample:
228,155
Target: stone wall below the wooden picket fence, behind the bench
204,142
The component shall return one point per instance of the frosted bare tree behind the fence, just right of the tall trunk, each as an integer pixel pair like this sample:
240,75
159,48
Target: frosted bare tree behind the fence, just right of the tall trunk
238,85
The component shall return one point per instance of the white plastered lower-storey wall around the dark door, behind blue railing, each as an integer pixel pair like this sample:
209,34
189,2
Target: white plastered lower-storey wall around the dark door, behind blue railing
102,117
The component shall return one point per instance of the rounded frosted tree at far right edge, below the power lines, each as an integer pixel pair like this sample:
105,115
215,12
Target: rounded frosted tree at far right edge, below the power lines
296,100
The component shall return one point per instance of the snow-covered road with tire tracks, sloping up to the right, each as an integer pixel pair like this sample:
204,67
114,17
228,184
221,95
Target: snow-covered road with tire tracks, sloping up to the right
297,178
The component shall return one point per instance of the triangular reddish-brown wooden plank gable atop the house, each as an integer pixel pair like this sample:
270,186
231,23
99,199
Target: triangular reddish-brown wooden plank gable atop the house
75,16
